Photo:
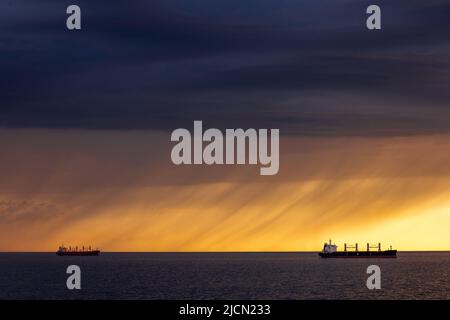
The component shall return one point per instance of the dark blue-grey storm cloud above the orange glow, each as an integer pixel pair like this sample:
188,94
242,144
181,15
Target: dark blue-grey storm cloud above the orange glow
306,67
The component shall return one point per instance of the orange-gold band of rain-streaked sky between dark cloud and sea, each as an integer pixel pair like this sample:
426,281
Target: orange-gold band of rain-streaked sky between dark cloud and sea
112,191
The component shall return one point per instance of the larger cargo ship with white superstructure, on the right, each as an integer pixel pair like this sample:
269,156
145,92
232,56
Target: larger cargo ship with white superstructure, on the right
330,251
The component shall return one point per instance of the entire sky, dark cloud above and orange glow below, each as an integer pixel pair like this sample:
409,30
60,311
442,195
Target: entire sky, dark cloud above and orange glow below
86,117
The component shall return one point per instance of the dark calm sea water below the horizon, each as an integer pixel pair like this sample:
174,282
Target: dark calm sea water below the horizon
223,276
